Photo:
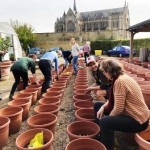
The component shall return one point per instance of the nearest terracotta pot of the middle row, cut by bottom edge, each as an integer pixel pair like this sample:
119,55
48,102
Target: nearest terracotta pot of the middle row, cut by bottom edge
85,144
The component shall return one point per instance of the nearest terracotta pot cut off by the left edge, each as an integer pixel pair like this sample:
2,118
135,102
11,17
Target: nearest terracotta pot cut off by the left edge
4,130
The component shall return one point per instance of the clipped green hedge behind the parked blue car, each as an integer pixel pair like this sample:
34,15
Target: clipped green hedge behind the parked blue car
106,45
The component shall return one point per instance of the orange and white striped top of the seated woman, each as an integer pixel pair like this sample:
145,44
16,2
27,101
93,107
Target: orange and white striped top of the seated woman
129,100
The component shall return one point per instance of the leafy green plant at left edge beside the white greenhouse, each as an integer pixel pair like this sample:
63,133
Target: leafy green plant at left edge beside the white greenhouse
5,43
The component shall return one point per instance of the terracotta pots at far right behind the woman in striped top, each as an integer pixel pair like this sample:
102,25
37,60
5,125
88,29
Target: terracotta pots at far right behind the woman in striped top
142,138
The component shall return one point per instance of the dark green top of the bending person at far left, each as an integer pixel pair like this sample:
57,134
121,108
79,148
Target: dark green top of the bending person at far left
24,64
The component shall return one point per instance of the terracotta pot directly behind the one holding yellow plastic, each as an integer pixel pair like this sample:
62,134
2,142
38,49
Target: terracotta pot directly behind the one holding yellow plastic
47,121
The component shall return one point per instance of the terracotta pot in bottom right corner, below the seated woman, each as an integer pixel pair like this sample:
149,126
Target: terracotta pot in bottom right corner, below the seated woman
143,139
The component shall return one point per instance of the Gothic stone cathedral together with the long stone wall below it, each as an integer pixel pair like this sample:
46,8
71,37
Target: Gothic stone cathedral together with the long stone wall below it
94,25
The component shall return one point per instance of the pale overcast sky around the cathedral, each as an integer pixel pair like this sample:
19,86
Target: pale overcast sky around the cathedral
42,14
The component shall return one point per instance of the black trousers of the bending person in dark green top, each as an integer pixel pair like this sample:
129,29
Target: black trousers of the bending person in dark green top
17,75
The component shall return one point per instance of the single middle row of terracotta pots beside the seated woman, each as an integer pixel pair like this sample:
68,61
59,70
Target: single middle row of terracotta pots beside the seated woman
83,132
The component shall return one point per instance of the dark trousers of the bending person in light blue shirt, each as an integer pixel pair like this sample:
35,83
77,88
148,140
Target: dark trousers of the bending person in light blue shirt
46,69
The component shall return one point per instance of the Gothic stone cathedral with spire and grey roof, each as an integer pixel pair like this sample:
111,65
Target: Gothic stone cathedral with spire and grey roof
115,19
